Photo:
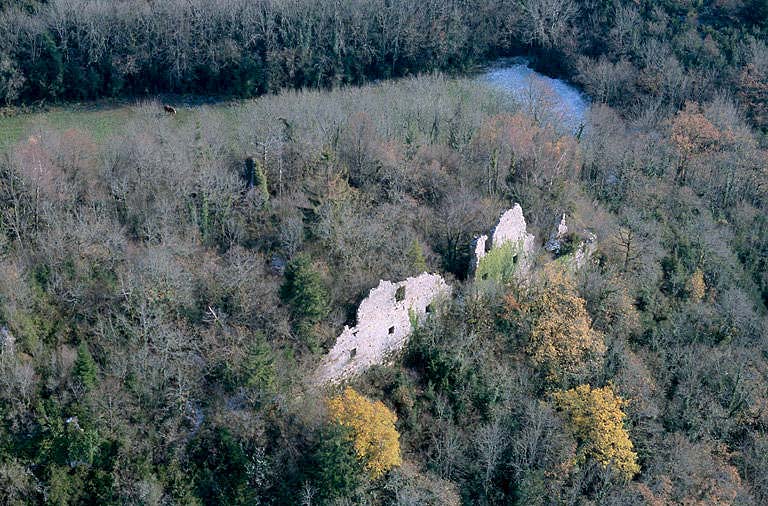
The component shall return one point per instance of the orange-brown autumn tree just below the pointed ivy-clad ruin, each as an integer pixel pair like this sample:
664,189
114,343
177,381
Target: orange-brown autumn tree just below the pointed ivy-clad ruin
562,342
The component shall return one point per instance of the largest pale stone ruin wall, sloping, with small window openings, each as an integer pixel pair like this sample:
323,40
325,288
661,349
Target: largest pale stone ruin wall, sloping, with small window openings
383,325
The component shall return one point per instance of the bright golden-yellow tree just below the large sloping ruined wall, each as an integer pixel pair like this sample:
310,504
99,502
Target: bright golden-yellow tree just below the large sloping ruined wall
376,440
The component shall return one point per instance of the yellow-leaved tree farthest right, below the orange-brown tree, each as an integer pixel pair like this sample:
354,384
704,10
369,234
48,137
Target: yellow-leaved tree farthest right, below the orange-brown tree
596,418
